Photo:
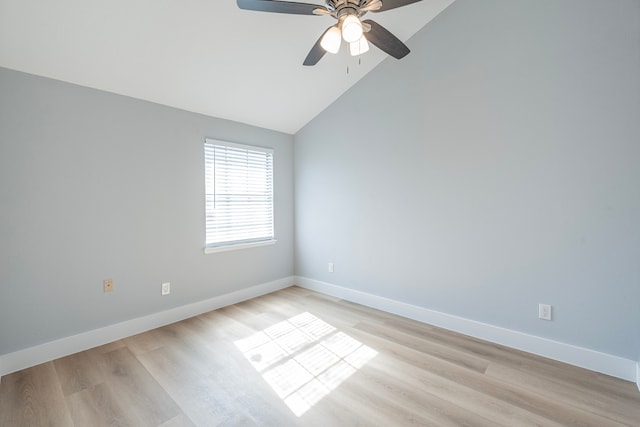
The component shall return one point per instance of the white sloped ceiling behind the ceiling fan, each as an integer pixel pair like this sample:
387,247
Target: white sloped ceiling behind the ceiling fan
205,56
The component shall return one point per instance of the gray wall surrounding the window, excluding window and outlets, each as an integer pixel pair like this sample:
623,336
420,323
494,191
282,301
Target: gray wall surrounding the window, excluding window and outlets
94,186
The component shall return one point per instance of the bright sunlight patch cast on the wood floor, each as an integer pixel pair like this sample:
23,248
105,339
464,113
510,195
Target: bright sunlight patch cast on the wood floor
304,358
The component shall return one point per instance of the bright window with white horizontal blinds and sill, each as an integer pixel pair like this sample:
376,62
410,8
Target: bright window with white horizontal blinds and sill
239,195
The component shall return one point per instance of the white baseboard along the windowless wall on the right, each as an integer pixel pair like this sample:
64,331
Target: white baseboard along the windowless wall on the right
589,359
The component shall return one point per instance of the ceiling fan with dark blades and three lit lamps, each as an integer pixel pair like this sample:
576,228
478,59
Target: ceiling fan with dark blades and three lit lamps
350,27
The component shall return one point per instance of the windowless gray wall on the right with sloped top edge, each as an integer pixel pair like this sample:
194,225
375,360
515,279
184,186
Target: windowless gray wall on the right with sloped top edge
494,168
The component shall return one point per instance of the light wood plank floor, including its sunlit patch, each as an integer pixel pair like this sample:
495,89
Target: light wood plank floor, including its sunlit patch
296,357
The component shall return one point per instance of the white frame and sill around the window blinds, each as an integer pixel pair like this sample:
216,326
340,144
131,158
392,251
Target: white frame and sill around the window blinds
230,245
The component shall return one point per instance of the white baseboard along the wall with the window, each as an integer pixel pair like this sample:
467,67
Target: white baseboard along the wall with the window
32,356
